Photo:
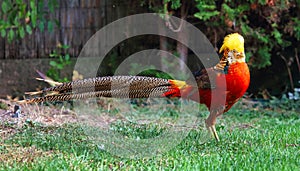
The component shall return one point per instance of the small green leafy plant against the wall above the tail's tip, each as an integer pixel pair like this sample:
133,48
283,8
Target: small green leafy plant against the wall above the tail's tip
59,62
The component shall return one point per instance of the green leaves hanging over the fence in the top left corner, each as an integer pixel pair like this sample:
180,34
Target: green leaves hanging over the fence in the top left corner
18,18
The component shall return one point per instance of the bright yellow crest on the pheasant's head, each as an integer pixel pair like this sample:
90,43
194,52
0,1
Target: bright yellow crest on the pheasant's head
233,41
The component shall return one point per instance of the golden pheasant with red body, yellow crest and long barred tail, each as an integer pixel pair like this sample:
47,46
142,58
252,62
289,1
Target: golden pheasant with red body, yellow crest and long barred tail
231,68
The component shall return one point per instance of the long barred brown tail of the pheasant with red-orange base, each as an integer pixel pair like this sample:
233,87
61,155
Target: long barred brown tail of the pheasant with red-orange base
113,86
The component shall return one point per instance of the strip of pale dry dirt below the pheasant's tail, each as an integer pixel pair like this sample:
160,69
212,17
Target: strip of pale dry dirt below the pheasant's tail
50,115
